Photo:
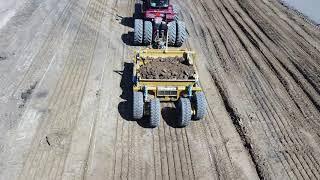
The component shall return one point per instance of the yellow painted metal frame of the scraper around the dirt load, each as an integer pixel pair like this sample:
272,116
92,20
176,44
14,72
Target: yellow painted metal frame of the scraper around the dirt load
181,86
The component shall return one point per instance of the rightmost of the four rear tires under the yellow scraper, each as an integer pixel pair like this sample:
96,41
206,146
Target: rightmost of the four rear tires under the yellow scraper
200,105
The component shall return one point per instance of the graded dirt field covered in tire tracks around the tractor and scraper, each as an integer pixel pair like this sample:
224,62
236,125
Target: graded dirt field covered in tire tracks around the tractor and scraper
65,73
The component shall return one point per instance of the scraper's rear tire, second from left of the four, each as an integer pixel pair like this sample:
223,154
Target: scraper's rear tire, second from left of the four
155,113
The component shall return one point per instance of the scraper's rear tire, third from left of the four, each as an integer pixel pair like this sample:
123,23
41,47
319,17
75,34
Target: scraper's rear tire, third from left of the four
184,112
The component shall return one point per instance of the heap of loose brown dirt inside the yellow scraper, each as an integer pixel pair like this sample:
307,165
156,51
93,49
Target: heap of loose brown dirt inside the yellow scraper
167,68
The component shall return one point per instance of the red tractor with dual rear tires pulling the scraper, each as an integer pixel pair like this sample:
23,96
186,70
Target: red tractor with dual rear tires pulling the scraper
159,25
